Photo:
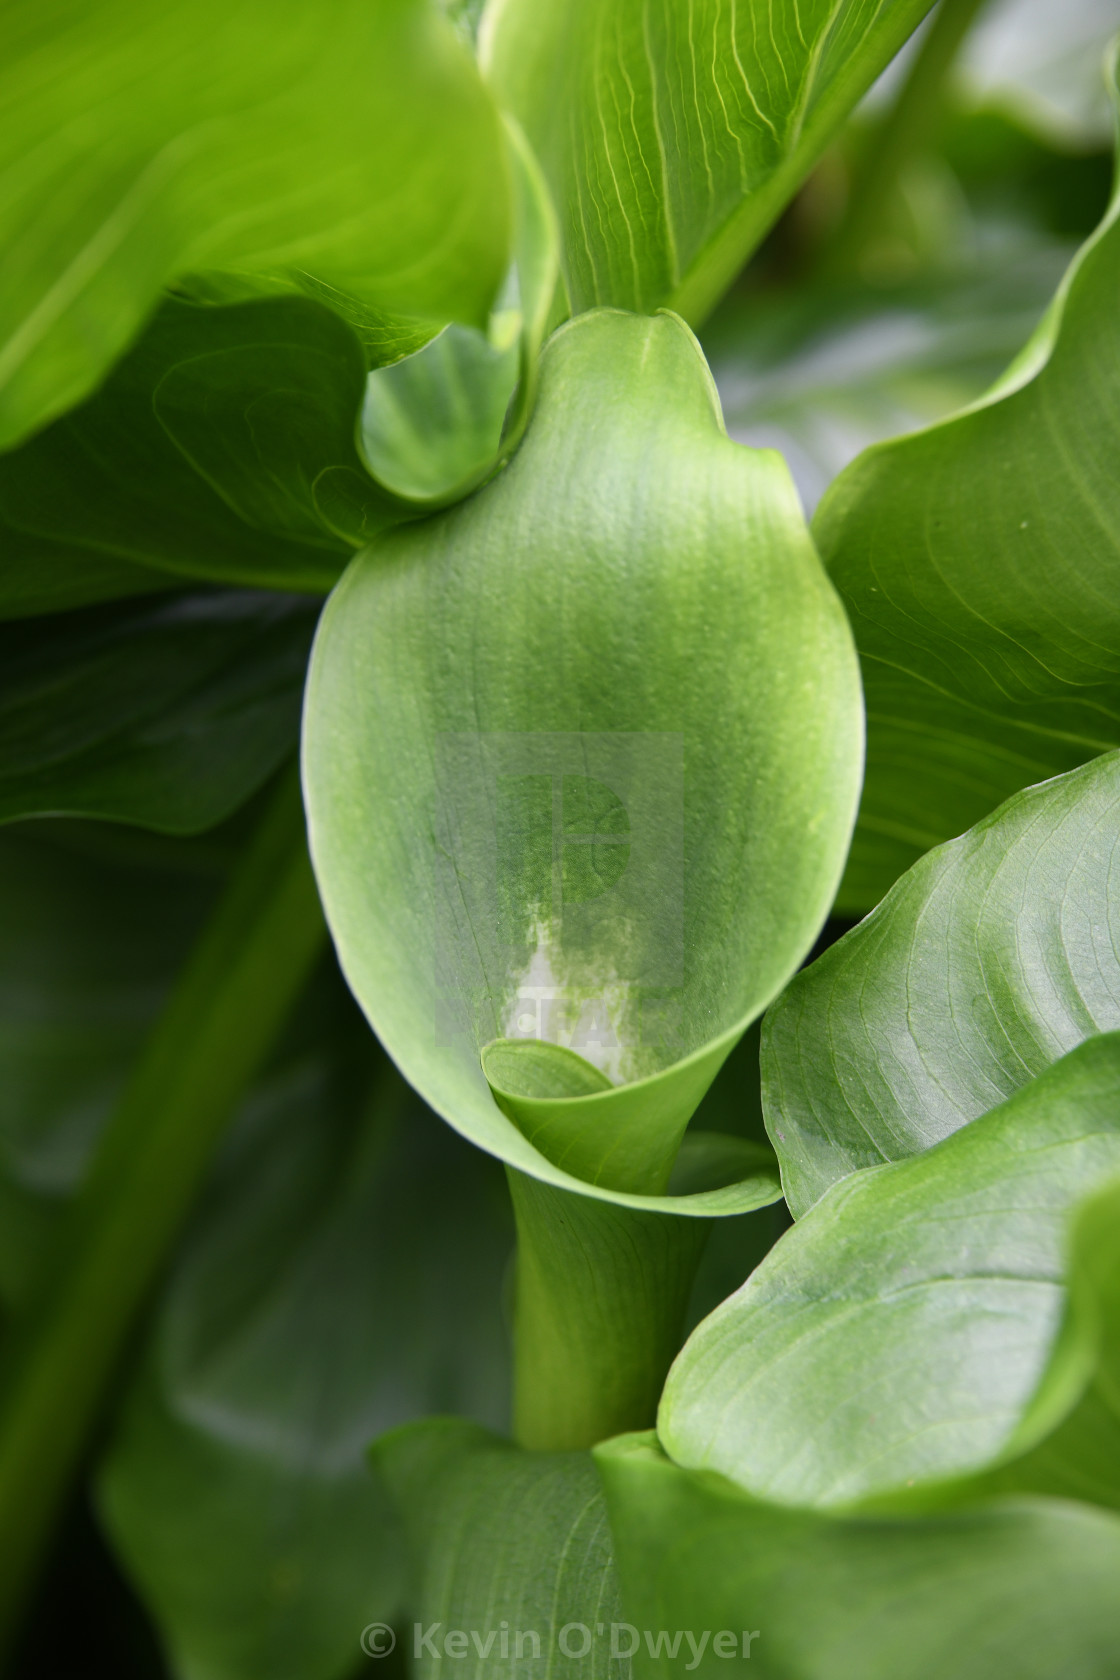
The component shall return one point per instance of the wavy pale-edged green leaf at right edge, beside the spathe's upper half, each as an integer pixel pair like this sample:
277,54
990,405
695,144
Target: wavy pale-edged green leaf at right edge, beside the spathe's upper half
980,565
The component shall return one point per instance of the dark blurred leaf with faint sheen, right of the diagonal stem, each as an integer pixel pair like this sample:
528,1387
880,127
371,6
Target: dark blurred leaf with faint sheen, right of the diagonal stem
343,1274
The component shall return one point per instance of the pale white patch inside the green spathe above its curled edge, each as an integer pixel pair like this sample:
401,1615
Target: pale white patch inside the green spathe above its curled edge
595,1021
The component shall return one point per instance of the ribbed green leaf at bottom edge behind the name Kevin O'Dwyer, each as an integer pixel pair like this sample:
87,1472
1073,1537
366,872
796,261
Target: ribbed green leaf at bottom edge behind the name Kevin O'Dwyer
511,1557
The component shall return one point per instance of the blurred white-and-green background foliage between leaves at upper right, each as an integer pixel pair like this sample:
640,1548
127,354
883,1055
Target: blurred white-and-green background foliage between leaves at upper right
839,337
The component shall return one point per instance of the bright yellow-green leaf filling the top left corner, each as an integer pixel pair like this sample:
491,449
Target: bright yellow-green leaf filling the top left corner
348,142
